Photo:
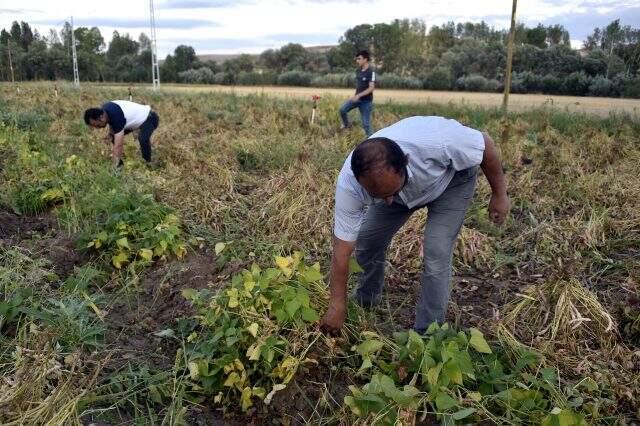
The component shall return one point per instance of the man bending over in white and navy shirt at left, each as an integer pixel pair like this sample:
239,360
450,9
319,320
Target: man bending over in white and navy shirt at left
123,117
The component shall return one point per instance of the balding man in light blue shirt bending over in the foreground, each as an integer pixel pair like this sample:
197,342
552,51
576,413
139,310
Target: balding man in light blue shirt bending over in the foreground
417,162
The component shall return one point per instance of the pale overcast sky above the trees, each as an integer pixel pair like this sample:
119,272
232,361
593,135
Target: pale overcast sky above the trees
251,26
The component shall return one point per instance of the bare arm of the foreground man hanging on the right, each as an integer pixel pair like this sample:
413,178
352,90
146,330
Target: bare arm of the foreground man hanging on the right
492,168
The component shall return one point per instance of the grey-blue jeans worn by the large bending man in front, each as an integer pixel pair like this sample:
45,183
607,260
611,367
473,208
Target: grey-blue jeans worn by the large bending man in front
444,220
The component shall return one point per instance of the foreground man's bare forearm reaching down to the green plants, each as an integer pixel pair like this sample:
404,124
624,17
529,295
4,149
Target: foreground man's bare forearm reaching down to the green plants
333,319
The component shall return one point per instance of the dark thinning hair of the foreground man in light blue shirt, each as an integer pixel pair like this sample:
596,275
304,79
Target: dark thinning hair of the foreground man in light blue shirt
377,153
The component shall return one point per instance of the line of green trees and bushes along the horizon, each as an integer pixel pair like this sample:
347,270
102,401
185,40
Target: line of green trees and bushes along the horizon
406,54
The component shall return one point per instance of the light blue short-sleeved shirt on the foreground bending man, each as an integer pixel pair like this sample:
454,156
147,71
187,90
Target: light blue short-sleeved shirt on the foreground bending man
438,147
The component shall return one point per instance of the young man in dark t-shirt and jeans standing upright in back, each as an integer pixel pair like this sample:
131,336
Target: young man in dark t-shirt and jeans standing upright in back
363,99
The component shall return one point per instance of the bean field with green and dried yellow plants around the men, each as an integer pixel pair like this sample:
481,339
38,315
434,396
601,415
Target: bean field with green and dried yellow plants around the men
189,292
